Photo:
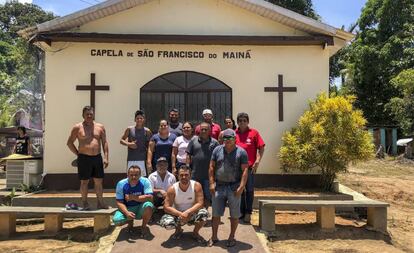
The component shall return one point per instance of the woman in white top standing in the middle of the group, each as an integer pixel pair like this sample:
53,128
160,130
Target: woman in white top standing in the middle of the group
179,155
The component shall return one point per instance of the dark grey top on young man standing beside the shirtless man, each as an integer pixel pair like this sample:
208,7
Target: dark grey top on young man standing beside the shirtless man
141,137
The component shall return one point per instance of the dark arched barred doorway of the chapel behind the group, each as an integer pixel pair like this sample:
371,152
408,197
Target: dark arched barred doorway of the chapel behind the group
190,92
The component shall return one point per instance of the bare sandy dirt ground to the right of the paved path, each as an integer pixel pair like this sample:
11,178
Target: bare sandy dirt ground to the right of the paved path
390,180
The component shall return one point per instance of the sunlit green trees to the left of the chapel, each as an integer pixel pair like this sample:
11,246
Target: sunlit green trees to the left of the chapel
20,62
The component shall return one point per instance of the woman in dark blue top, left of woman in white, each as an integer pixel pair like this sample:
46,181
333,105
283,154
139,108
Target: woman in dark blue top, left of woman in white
160,145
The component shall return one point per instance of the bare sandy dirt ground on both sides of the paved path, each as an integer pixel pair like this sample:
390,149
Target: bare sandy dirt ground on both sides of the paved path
389,180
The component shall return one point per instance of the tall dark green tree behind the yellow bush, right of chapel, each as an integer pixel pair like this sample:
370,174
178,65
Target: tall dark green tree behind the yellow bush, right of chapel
383,48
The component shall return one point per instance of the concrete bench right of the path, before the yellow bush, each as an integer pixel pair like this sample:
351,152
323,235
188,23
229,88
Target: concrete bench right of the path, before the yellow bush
325,212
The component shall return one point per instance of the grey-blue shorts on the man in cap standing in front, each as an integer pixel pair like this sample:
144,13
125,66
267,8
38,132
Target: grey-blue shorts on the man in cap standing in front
225,193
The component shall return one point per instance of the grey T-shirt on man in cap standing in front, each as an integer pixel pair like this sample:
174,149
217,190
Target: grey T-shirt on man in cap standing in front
228,167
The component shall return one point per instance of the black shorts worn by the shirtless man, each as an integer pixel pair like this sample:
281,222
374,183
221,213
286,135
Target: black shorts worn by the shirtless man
90,166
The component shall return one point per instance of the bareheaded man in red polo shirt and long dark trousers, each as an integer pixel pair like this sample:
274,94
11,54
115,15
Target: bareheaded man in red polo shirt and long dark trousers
249,139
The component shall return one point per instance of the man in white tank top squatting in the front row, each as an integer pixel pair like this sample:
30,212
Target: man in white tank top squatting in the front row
184,205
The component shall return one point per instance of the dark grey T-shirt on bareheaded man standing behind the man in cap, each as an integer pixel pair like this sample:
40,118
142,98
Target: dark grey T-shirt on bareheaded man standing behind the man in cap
200,153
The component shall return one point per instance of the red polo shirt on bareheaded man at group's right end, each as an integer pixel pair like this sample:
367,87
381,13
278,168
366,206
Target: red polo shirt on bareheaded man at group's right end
251,141
